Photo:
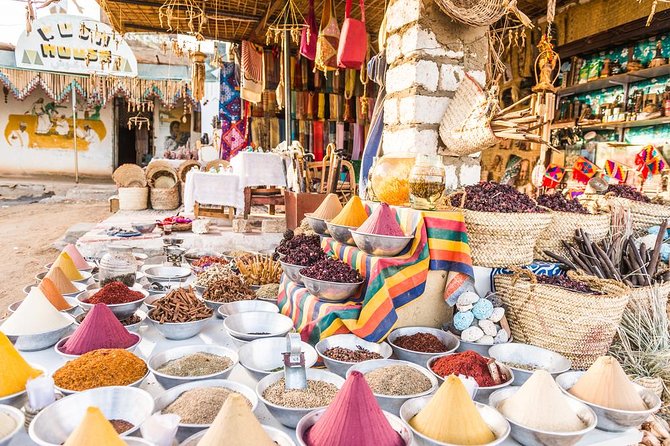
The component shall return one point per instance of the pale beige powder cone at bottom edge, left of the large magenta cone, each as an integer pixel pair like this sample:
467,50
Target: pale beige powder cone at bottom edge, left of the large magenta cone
236,425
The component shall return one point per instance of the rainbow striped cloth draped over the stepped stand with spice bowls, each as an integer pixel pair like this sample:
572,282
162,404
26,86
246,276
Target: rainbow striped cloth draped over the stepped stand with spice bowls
440,243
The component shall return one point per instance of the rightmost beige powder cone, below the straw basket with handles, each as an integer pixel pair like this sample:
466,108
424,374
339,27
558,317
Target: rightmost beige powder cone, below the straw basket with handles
606,384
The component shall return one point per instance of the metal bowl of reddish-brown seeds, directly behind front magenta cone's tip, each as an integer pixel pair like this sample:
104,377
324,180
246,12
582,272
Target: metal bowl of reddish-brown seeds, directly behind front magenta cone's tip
340,352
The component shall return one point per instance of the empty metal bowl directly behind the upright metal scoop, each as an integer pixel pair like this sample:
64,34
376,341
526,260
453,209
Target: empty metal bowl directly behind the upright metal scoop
262,357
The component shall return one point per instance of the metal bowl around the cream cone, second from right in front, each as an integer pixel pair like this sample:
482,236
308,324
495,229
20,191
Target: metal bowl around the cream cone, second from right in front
535,437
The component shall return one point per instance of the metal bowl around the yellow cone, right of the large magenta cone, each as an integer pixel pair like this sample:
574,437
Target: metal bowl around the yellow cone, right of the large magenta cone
493,419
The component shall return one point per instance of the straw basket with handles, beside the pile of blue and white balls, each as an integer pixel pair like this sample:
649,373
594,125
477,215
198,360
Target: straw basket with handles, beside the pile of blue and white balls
577,325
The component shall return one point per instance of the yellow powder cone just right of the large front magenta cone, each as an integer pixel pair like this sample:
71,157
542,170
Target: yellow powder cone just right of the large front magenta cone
451,417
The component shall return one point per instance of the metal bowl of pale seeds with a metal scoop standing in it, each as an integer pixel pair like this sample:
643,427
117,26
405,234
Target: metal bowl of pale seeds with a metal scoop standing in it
289,406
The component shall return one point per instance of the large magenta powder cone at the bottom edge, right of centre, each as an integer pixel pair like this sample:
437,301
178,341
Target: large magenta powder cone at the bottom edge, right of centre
353,418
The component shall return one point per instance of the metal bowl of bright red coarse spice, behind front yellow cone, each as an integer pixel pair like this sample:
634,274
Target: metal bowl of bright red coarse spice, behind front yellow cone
490,374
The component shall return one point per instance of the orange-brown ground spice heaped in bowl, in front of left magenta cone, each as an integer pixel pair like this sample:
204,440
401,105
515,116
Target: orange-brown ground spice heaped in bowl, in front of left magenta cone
100,368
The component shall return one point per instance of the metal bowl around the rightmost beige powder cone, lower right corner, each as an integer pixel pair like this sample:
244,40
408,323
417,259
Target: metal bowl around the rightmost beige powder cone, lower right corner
613,420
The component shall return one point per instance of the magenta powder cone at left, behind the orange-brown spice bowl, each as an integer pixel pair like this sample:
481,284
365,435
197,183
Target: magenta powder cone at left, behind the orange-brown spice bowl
99,329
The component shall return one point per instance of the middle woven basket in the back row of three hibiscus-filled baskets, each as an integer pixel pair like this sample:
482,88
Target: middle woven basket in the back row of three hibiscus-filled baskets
563,226
